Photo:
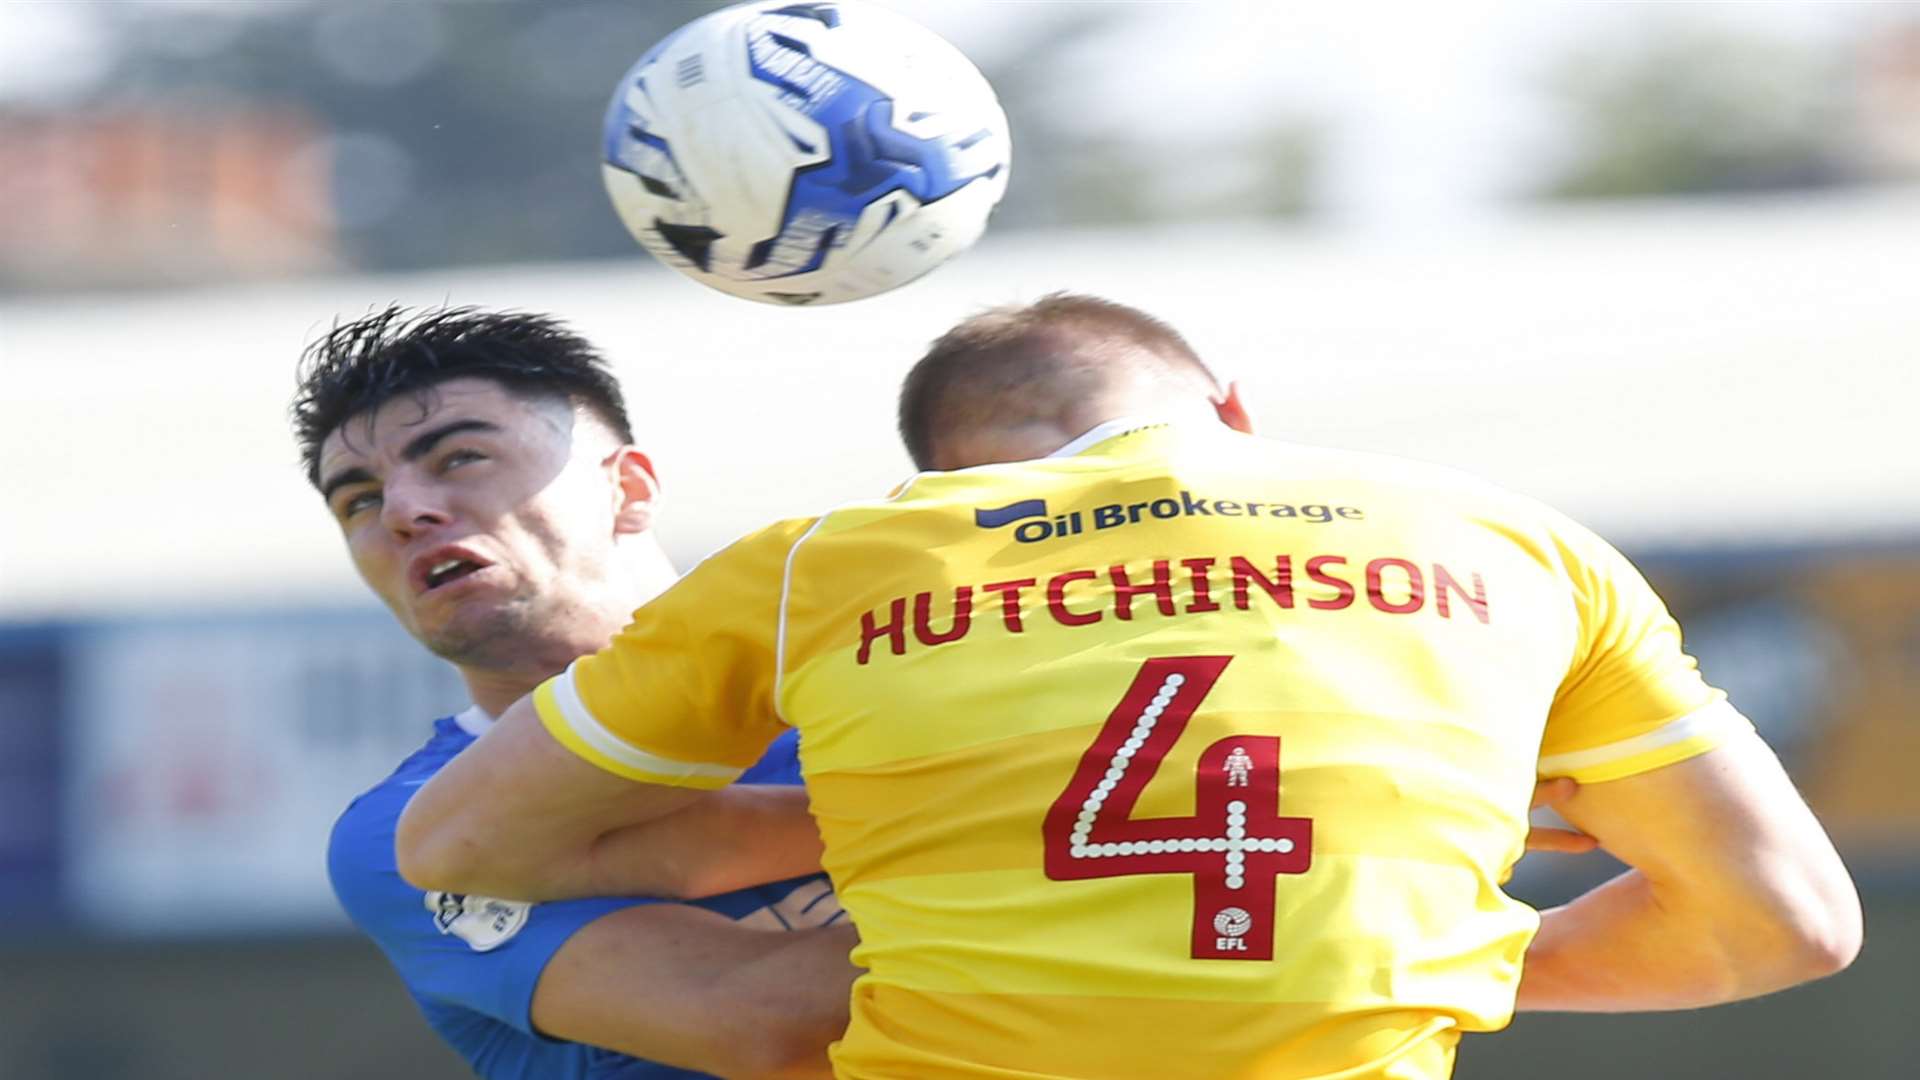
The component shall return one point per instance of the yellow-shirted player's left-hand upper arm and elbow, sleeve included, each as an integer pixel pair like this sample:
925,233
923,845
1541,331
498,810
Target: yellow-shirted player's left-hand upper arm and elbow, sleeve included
660,720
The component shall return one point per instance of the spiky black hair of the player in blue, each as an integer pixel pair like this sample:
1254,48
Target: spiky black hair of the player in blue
364,364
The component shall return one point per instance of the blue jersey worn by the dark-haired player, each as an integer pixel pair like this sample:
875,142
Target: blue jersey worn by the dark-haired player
471,964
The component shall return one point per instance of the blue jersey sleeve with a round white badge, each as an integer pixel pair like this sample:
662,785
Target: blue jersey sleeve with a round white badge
468,952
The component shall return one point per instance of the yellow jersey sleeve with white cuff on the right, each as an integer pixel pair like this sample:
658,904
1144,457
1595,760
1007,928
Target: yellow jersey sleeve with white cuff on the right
1633,700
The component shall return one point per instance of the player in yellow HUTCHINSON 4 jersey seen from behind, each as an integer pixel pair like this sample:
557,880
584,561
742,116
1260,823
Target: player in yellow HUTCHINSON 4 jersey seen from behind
1149,749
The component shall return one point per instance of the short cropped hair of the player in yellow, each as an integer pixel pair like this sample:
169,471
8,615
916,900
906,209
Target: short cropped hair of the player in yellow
1005,360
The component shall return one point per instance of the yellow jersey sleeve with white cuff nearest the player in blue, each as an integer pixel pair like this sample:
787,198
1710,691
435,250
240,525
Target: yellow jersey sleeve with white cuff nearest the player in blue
684,695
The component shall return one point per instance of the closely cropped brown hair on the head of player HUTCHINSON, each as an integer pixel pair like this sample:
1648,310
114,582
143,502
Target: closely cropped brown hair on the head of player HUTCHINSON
1007,351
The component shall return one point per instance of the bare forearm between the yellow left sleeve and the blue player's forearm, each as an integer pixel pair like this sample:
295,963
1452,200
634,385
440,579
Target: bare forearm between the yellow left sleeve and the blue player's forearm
732,839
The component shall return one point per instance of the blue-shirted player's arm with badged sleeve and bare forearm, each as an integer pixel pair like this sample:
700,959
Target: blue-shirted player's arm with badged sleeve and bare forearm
660,981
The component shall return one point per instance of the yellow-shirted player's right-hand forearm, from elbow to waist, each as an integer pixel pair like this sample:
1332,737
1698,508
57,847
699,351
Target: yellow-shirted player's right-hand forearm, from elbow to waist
1631,946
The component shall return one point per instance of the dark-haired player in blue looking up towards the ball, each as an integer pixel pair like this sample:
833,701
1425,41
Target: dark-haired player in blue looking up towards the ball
485,476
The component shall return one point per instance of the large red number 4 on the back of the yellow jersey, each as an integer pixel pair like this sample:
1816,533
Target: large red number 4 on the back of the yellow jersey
1234,845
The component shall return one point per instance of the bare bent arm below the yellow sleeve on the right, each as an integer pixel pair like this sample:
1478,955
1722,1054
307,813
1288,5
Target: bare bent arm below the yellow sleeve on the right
1735,891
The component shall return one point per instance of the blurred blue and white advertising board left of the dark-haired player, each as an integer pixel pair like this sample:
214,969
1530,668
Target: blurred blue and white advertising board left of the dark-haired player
180,775
